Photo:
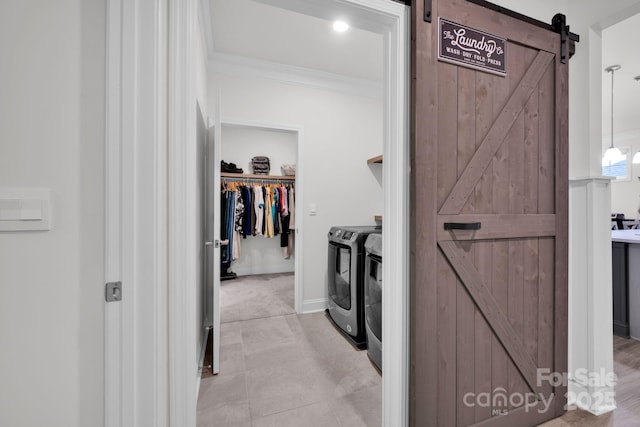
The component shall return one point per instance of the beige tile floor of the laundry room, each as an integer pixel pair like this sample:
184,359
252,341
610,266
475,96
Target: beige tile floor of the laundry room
289,370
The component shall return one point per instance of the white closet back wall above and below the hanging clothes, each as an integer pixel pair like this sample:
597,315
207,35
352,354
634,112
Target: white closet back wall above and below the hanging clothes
260,255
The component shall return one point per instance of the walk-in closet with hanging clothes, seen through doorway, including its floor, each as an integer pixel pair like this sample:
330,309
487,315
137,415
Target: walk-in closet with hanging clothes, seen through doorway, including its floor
257,222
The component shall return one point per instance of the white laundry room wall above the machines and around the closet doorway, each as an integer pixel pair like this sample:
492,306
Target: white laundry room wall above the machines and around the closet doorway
340,132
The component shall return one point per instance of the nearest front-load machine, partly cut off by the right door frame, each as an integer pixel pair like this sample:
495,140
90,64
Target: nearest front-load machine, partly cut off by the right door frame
373,298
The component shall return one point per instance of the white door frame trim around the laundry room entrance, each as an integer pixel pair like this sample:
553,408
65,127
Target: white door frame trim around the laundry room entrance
151,365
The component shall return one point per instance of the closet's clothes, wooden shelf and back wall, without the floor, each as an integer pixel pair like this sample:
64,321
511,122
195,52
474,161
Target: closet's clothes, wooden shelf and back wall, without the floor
257,207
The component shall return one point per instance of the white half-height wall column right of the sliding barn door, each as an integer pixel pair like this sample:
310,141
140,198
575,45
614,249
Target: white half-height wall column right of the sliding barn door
590,296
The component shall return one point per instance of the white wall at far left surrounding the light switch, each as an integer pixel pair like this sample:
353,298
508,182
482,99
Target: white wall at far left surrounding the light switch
51,283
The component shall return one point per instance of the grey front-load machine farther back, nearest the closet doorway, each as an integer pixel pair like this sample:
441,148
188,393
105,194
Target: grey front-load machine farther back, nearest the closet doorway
346,280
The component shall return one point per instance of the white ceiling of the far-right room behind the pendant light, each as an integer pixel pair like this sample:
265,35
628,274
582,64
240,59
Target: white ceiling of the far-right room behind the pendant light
619,47
